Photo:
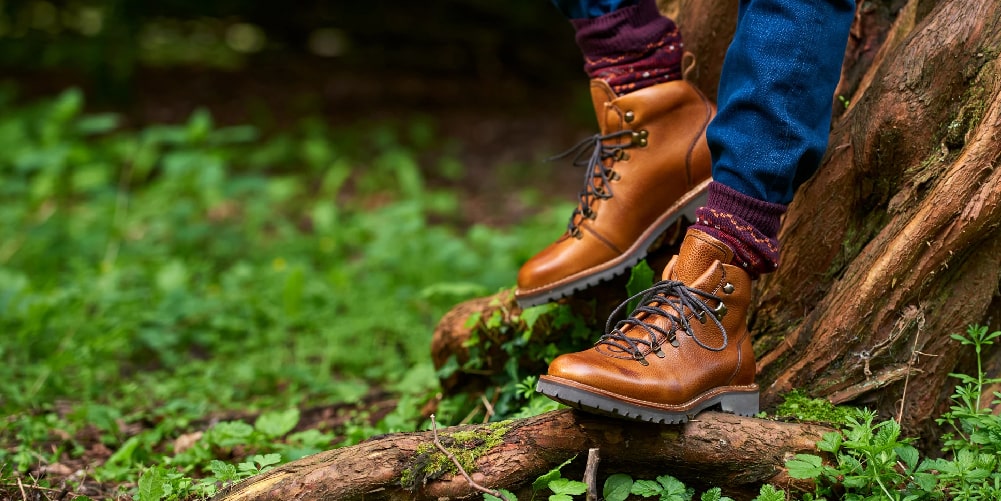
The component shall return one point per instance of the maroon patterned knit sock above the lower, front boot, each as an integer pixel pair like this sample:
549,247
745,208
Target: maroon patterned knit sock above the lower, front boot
746,225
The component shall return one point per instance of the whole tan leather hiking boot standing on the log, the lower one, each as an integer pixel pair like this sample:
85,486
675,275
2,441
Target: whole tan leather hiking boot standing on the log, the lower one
686,349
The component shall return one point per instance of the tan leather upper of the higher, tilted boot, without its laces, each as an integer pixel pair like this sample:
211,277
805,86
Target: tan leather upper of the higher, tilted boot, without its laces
652,182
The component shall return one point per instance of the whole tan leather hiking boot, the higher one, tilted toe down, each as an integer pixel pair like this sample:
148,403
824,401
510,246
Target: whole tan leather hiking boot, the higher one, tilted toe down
649,167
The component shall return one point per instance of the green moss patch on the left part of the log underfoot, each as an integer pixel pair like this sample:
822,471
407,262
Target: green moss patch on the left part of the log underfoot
468,446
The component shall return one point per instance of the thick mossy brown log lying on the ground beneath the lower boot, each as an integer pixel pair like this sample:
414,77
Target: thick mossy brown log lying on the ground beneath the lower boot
716,449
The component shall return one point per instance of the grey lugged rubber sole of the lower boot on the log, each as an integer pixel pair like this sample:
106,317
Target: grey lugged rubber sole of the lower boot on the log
742,401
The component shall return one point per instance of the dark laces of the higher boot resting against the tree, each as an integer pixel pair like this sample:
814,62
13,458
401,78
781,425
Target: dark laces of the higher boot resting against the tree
592,154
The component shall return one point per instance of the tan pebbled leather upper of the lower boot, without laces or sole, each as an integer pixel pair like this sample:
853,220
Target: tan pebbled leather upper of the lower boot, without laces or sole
689,375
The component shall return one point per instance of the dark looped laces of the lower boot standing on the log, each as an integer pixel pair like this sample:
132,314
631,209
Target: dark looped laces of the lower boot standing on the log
668,299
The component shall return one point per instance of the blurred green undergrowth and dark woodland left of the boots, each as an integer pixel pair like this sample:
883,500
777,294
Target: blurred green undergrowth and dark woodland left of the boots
229,229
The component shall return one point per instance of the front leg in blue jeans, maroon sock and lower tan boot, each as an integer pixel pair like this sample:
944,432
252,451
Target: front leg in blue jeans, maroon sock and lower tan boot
688,348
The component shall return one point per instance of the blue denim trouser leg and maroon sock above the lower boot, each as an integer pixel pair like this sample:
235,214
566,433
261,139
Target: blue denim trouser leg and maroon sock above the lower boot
776,93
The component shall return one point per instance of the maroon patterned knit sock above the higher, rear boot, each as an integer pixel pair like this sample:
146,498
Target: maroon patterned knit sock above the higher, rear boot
631,49
